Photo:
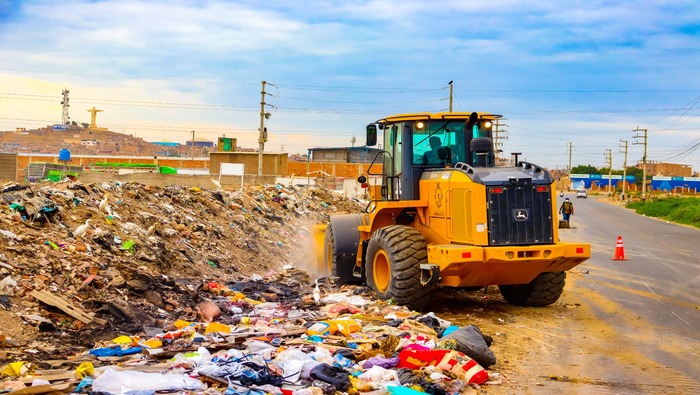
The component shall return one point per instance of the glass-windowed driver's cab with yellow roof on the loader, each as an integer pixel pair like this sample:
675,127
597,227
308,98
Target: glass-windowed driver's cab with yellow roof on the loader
416,143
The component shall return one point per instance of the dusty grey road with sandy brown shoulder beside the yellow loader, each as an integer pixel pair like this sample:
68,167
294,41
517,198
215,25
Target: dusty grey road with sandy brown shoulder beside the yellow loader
621,327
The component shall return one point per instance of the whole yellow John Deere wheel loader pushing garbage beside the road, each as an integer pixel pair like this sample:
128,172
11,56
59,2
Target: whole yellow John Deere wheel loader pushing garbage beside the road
449,216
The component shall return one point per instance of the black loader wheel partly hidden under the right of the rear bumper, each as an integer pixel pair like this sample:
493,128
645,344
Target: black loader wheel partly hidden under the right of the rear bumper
544,290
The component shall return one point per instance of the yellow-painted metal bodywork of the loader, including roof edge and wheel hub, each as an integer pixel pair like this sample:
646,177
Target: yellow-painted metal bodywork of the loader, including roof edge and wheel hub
451,214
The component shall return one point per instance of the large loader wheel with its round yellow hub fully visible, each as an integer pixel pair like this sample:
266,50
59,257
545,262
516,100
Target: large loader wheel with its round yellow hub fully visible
394,256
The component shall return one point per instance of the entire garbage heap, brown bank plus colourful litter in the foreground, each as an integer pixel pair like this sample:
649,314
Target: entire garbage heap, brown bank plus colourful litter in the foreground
127,288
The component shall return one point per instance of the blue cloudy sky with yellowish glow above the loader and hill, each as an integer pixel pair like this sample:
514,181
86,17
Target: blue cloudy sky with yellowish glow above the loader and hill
586,72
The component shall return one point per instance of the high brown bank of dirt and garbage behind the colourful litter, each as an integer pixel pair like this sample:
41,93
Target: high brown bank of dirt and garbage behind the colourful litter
113,257
